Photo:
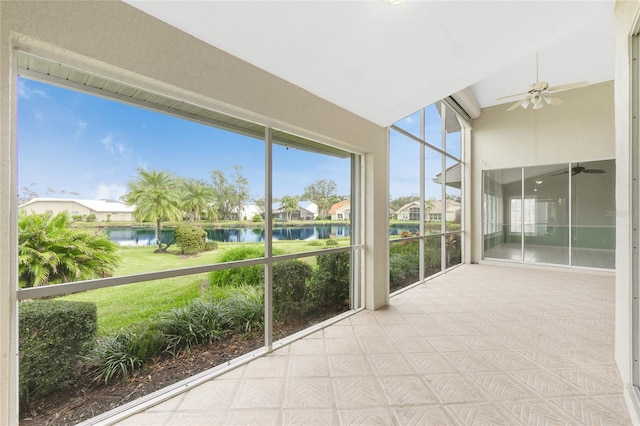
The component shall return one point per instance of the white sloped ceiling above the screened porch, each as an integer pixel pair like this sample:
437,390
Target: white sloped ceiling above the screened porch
383,61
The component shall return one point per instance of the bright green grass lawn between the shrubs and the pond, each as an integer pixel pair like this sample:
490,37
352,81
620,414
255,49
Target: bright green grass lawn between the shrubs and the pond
122,306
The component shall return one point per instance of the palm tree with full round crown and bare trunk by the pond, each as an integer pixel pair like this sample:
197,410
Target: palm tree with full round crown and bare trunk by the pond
156,198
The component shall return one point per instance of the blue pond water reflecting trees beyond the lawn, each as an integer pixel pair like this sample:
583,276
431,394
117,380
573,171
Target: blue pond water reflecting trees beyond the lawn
139,236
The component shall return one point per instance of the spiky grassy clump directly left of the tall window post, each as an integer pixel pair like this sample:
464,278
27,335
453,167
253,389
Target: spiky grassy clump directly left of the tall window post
243,309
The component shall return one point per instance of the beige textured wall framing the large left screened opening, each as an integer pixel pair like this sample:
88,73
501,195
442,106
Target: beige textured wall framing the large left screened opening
120,42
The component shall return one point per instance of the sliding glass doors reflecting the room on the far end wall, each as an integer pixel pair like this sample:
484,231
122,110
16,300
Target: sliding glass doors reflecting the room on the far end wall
552,214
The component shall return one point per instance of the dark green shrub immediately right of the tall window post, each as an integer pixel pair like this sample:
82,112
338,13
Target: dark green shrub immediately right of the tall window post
289,279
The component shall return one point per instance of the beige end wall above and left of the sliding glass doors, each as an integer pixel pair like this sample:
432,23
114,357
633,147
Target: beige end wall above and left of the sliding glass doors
579,129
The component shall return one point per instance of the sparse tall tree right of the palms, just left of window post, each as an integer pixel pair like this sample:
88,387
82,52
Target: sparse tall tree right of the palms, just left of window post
230,194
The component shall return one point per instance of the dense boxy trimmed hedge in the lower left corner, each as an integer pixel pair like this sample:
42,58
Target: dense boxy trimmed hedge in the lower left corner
53,335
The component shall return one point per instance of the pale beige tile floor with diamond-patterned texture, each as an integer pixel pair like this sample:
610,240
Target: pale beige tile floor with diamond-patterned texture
483,344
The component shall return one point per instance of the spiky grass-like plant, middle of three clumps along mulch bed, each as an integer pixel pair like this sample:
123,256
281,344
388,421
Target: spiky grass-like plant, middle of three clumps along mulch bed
198,322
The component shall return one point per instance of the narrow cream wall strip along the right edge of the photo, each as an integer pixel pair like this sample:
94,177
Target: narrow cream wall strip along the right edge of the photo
626,17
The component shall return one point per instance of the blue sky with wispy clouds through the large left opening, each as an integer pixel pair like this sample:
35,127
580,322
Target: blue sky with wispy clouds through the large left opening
74,142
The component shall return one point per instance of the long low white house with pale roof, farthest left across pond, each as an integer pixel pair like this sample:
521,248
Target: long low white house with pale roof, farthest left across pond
103,209
